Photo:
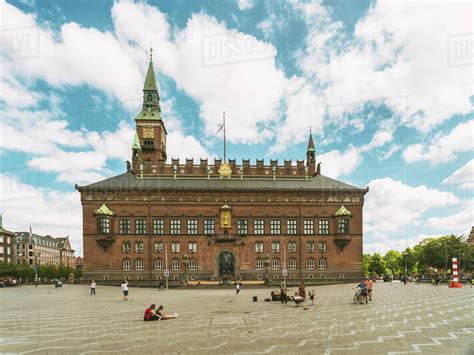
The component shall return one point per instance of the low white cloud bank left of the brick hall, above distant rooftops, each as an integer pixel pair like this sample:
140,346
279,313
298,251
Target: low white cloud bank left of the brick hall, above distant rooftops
46,211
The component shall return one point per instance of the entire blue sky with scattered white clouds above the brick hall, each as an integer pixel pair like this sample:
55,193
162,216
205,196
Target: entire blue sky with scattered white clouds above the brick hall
386,87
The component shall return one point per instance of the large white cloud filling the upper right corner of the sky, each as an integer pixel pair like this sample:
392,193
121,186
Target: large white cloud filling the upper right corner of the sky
395,52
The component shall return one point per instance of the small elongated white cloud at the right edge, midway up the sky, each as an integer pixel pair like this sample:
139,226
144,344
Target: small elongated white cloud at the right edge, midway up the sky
443,148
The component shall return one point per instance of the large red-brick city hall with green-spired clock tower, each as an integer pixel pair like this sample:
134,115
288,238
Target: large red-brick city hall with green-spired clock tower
220,219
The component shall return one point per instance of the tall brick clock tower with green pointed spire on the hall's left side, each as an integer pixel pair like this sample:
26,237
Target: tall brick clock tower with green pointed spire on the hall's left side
149,144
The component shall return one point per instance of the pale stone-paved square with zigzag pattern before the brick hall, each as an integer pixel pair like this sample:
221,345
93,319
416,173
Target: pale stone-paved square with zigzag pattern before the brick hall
401,319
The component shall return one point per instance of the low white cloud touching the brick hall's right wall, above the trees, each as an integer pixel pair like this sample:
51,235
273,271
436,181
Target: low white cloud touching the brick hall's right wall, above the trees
392,205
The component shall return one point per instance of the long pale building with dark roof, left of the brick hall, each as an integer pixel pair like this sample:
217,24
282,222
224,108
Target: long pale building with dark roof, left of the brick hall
34,249
